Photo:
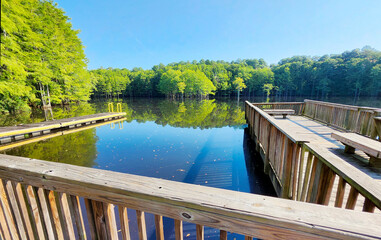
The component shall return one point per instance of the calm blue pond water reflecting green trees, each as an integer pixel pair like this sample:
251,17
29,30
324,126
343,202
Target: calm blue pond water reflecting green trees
198,142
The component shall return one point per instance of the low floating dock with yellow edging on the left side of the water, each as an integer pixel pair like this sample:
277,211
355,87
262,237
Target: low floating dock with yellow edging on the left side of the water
13,133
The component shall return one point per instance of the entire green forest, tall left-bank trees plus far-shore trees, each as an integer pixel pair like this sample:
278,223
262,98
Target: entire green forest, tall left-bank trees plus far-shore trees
43,62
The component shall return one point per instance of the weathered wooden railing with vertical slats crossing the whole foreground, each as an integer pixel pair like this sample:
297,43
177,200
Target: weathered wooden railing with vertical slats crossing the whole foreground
44,200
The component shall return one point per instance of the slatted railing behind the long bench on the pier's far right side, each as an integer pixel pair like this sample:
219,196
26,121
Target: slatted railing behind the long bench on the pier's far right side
352,118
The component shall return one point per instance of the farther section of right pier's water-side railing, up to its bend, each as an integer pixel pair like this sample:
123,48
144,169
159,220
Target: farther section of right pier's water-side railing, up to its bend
285,147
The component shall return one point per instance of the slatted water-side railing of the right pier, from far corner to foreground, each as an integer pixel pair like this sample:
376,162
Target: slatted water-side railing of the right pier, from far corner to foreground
305,172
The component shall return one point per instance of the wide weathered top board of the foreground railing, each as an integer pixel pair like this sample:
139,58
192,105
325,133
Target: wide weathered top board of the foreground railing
248,214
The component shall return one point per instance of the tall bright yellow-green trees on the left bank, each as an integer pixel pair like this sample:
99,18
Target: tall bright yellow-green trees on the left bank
41,55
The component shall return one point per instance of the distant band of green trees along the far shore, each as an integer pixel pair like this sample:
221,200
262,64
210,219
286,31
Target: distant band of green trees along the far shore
352,73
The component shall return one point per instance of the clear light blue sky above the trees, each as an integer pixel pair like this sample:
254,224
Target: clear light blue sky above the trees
140,33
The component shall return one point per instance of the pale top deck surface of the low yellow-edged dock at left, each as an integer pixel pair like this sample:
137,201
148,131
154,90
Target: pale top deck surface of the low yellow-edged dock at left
12,131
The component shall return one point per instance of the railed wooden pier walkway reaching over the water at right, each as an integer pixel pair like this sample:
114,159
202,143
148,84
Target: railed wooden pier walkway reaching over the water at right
306,164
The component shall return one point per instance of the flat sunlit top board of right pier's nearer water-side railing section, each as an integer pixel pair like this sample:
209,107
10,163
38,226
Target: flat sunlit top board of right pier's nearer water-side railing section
358,179
